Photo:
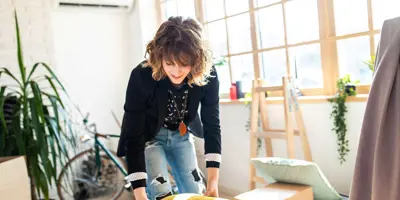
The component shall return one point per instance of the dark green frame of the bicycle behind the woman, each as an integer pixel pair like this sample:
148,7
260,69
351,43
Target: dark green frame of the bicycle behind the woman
99,145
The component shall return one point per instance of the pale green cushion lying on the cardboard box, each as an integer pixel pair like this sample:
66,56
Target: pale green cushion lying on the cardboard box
274,169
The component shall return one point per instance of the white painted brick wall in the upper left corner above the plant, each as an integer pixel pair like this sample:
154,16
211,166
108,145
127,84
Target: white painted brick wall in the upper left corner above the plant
34,23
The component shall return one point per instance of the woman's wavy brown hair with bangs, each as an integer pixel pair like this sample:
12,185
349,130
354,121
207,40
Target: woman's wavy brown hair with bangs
179,40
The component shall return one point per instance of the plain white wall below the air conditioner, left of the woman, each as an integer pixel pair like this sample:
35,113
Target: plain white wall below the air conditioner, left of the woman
92,55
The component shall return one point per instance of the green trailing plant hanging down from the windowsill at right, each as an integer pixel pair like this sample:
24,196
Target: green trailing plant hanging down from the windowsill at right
345,88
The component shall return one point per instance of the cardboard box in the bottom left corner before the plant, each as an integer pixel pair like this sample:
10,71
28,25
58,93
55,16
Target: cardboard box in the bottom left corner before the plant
14,179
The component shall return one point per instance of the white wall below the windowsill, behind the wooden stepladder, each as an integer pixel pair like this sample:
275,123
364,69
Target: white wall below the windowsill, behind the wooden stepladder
236,148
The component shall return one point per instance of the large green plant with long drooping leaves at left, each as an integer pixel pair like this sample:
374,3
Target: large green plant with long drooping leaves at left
34,121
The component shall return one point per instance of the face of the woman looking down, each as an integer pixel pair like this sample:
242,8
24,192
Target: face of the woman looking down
175,72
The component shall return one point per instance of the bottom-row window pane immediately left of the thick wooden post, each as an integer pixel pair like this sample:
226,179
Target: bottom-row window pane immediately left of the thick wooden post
305,63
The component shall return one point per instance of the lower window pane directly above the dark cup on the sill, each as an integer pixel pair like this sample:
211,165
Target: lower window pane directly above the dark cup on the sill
243,70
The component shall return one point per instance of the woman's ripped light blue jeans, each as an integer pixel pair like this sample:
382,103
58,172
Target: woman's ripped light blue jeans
168,147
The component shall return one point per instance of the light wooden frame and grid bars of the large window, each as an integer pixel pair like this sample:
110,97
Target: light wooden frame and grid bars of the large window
327,40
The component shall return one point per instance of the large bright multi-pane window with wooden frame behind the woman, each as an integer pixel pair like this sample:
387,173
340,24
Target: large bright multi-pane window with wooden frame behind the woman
315,41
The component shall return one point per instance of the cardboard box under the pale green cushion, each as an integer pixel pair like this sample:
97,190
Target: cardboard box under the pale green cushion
279,191
